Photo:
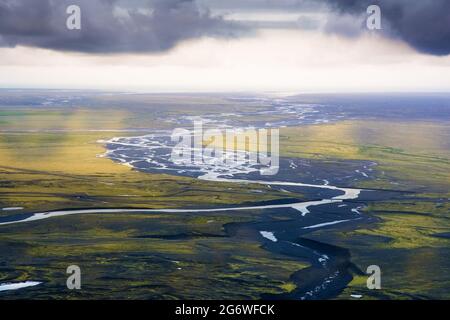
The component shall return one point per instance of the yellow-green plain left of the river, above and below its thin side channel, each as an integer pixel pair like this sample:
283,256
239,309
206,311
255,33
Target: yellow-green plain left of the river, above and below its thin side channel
121,255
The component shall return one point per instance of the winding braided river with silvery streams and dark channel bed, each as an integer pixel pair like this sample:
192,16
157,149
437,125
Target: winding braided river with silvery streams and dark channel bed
331,205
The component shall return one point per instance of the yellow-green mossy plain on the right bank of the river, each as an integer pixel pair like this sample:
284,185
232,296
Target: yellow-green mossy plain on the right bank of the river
411,242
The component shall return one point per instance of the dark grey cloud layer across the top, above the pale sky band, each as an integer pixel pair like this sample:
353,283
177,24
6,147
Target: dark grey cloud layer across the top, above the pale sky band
134,26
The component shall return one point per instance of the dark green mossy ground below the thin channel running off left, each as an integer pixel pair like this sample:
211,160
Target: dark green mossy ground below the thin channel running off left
142,257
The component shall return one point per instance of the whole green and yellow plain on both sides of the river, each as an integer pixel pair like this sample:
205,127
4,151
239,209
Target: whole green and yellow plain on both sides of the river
48,160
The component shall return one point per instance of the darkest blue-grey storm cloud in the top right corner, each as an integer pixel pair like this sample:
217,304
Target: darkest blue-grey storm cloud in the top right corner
424,24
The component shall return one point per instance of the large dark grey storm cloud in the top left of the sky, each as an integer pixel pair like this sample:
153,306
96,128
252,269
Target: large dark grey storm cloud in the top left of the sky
107,26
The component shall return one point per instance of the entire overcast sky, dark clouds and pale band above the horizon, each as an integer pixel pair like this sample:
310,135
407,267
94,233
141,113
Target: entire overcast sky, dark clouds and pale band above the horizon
284,46
